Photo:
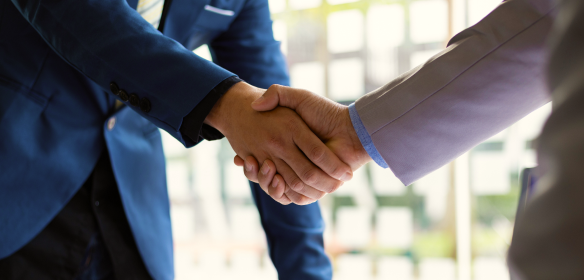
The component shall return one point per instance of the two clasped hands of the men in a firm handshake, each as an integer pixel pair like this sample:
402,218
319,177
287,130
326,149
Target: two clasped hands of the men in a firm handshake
306,144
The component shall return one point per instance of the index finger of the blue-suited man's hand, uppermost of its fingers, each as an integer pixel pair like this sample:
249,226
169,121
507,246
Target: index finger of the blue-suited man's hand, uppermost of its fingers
324,158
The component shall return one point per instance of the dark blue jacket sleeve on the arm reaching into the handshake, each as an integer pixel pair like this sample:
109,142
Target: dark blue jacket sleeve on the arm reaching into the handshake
108,41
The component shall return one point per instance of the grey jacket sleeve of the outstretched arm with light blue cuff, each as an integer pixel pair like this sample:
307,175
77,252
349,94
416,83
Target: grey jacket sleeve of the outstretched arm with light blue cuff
490,76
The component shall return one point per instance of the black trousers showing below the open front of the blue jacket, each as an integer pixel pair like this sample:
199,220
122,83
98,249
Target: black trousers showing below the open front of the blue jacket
89,239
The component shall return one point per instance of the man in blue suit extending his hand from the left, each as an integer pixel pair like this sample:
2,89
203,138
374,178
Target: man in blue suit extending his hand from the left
84,87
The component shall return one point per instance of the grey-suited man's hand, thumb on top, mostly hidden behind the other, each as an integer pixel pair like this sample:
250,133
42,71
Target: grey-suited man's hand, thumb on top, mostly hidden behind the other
329,120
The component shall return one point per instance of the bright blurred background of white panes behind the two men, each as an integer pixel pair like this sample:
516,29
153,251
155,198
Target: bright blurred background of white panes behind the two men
455,223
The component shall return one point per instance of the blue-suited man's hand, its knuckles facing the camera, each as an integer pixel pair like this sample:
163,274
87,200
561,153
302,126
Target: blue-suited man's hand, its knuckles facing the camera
280,136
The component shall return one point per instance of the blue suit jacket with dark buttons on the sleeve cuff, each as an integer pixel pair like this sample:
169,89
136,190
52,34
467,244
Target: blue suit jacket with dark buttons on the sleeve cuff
57,60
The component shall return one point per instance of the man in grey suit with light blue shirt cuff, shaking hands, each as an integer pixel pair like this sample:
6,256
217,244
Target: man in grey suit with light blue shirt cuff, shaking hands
490,76
